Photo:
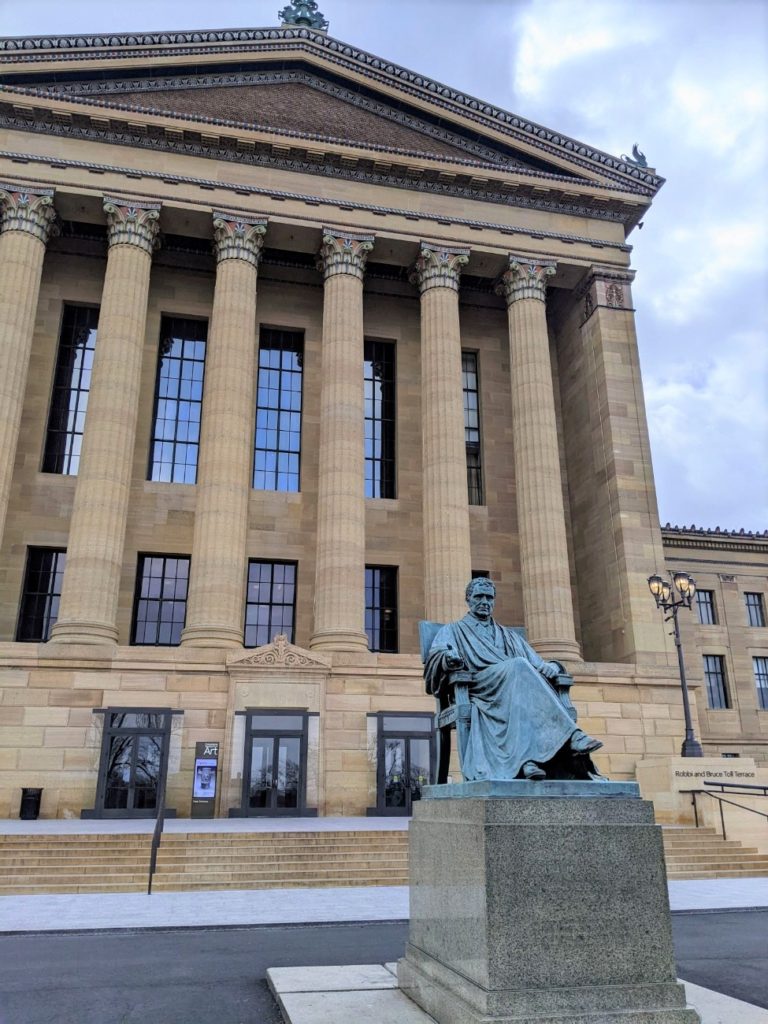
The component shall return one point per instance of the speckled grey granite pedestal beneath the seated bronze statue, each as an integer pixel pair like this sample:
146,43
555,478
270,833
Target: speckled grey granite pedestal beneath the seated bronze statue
540,904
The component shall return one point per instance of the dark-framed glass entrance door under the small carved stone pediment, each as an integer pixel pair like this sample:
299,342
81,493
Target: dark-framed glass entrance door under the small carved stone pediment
275,777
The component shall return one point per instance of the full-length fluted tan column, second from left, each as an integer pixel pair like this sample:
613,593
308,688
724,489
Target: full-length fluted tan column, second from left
95,552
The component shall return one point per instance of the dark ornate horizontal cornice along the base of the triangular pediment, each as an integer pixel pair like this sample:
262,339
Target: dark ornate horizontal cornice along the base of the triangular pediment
528,195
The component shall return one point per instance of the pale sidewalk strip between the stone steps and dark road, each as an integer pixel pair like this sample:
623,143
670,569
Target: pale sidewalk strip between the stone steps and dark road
281,907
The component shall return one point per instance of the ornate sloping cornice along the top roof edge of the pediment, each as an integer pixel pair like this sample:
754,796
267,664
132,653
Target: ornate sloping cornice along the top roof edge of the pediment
264,40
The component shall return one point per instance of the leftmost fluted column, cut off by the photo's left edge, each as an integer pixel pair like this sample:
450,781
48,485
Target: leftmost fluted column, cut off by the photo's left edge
26,220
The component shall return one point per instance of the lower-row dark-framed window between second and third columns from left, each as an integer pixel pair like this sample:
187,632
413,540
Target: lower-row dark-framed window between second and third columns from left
160,606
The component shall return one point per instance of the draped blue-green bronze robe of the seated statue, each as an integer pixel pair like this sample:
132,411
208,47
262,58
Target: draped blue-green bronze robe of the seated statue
517,715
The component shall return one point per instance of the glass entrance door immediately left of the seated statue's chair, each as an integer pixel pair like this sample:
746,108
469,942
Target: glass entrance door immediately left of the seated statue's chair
405,761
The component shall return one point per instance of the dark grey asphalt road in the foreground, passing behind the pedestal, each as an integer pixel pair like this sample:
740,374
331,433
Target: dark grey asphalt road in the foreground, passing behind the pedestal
217,976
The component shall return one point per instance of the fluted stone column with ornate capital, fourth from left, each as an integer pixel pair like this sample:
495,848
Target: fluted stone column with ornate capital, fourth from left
340,573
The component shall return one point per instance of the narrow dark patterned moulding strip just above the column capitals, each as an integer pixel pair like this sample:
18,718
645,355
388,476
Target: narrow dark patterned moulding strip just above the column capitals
315,200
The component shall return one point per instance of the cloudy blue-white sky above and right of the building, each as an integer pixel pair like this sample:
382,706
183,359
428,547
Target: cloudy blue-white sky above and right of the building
686,79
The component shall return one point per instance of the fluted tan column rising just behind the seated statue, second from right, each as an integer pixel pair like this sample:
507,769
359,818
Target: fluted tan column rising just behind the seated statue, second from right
447,550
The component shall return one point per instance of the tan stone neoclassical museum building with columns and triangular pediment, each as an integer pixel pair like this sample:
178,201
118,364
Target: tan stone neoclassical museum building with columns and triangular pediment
293,343
